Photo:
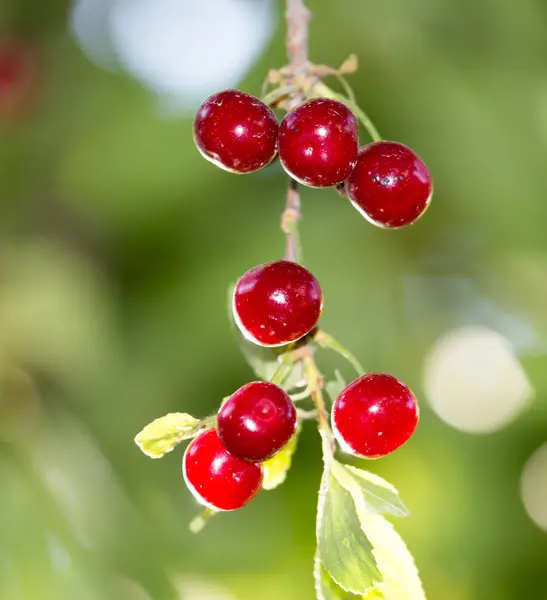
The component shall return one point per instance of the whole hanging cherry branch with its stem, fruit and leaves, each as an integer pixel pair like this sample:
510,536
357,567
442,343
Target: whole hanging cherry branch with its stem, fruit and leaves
245,448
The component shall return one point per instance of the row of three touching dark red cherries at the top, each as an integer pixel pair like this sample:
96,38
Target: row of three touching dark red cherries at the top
318,145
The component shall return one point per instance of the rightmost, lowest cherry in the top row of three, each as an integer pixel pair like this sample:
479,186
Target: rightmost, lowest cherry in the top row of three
390,185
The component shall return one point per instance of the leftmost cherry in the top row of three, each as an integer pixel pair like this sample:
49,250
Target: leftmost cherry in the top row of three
236,131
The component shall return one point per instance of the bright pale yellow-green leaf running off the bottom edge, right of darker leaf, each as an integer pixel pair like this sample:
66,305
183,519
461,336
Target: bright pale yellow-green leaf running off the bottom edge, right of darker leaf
401,578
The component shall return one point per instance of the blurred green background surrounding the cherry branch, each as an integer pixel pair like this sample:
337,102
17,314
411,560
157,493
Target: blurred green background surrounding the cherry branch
118,242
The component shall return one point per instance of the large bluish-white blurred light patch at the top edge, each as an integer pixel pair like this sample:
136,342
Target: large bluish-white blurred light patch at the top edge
180,49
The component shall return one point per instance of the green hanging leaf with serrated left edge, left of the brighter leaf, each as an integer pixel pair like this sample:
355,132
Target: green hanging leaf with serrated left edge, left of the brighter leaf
343,547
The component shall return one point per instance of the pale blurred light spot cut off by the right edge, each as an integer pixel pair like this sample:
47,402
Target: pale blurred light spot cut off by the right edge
534,487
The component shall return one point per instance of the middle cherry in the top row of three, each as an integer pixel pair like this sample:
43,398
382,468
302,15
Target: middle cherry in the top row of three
318,142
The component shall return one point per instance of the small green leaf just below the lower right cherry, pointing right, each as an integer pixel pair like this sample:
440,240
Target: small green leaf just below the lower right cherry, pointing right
376,496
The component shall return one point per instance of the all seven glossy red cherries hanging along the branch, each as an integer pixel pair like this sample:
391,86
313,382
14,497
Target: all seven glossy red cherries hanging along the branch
280,302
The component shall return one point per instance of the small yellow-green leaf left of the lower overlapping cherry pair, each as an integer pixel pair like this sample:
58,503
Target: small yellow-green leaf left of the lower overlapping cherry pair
162,435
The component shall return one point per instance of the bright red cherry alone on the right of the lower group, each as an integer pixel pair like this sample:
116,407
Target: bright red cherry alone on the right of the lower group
374,415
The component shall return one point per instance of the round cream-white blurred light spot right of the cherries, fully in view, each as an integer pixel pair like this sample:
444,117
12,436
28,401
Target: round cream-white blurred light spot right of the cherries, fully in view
474,381
